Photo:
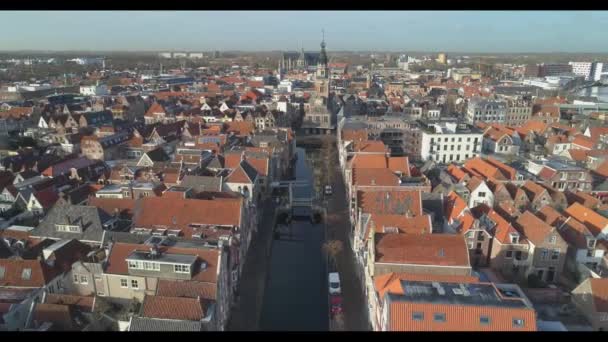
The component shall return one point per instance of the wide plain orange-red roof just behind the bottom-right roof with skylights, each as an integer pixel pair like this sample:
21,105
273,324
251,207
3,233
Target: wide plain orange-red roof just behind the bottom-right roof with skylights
426,249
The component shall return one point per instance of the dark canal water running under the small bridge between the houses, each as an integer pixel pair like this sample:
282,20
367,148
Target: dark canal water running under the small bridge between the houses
295,298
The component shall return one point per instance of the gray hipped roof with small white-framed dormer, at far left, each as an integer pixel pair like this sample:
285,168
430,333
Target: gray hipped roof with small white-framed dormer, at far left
90,218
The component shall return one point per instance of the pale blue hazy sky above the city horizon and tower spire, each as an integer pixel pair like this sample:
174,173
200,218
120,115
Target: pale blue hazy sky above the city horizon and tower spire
461,31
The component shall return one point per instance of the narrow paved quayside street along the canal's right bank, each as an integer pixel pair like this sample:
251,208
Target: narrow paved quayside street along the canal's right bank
338,227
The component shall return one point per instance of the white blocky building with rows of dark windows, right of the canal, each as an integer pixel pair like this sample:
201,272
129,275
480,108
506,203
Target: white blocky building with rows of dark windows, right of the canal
448,141
